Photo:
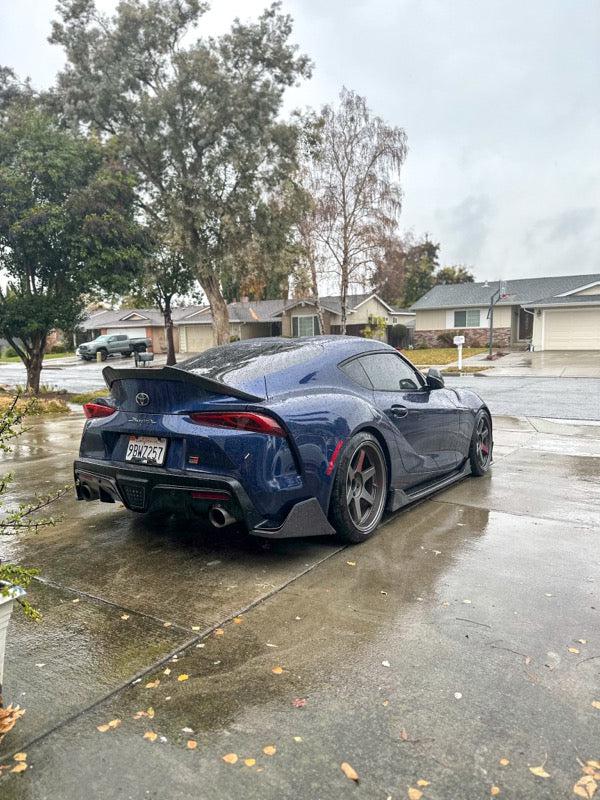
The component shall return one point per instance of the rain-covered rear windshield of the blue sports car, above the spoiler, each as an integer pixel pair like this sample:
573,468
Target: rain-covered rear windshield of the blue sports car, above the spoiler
244,364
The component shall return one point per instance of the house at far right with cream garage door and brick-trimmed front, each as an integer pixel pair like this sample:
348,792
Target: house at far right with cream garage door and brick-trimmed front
556,313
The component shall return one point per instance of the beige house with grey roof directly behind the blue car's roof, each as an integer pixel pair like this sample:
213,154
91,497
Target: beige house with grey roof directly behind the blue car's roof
253,318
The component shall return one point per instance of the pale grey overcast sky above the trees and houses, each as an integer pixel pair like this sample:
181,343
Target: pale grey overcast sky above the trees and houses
500,101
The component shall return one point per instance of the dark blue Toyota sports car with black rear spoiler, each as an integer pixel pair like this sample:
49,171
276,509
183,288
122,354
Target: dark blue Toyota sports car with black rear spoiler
289,437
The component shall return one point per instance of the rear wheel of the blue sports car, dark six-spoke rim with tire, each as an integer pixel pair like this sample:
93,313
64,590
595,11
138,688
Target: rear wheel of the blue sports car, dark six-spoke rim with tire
358,502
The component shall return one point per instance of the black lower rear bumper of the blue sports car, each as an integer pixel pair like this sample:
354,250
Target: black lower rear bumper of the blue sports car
142,488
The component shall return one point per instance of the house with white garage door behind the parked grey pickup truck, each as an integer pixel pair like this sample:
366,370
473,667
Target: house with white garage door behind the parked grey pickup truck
147,322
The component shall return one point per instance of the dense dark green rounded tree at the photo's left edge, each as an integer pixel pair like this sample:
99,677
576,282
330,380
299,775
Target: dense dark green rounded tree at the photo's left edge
67,228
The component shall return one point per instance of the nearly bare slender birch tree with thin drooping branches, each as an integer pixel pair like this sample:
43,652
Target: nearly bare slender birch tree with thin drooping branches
355,184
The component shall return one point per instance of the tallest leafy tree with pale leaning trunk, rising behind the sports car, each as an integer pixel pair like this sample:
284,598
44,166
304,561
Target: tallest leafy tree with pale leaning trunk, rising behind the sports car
197,119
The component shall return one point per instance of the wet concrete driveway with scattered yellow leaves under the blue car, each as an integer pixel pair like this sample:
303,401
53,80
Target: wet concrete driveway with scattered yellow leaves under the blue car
454,652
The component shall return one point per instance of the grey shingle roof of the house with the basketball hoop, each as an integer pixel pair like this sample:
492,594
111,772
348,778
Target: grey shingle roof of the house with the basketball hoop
524,291
